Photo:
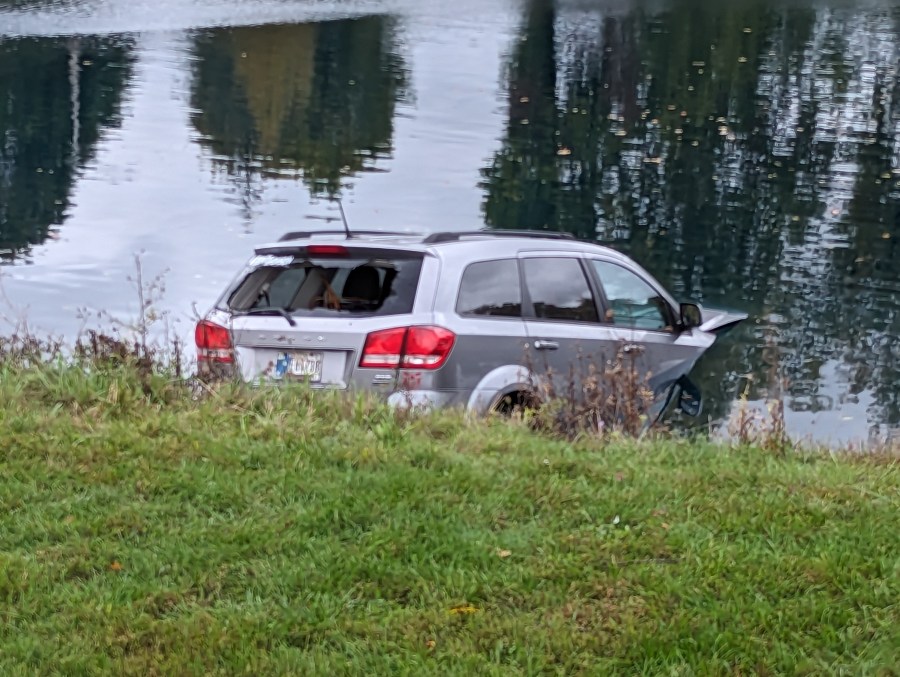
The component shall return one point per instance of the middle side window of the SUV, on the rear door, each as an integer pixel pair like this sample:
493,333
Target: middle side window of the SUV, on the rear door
559,290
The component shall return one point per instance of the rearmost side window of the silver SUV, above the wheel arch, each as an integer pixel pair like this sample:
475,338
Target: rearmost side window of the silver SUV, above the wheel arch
491,288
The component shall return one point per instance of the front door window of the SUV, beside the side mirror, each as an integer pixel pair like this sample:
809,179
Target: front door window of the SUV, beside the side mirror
633,302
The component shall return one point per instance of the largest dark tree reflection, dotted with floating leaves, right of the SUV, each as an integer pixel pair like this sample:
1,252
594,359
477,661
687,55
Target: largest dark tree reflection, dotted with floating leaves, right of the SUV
747,155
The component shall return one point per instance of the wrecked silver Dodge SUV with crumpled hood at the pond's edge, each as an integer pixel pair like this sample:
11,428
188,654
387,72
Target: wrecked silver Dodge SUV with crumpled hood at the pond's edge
447,318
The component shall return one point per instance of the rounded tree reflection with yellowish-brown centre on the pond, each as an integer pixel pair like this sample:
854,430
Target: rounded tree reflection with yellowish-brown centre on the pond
309,100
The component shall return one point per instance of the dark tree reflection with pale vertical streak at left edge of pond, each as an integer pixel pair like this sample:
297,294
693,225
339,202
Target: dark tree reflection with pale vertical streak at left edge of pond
58,96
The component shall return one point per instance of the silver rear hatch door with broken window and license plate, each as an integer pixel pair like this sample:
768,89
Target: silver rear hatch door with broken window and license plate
303,313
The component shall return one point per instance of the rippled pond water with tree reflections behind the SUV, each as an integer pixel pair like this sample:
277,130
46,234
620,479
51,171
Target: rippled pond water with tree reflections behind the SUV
747,153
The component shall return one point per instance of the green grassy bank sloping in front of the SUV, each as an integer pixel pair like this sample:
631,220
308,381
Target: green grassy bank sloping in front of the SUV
143,532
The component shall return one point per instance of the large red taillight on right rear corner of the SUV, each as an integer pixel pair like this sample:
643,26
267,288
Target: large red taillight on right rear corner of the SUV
408,348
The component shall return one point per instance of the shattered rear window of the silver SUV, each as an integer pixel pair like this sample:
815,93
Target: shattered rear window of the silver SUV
358,282
